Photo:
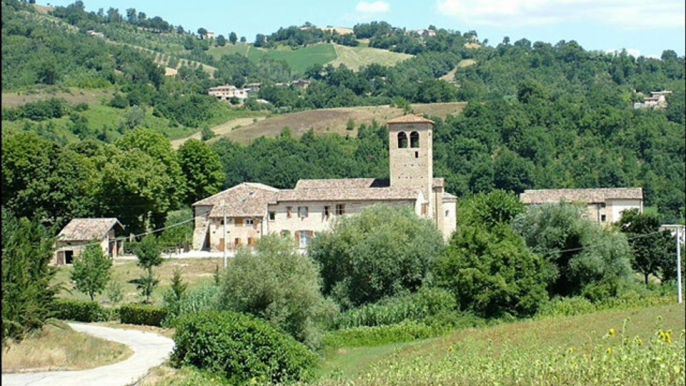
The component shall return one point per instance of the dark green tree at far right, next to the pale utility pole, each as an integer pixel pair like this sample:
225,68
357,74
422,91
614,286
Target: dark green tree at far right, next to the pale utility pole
652,250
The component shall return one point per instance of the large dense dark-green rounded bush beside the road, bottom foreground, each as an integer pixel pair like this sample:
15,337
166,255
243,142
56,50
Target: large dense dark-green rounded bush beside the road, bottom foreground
240,347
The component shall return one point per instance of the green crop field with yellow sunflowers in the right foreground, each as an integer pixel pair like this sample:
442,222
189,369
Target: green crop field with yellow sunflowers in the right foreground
635,347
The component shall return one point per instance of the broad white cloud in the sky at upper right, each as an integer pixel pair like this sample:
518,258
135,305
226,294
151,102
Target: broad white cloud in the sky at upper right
627,14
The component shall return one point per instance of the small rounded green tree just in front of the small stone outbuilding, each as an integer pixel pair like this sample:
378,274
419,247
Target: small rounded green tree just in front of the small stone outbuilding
92,270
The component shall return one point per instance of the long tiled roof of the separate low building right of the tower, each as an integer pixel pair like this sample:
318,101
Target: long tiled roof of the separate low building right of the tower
589,196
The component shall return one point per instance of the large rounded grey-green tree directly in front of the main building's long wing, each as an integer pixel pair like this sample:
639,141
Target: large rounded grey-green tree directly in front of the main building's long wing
375,254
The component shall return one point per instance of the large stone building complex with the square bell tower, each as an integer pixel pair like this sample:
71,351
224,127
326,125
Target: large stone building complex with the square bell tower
253,210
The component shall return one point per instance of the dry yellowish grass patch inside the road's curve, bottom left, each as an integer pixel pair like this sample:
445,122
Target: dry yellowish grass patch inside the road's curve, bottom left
58,347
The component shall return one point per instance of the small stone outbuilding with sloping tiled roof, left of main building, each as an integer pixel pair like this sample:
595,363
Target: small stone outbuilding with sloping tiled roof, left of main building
81,232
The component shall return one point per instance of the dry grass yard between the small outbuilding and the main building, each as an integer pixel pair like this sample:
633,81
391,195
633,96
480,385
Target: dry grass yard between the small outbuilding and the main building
195,272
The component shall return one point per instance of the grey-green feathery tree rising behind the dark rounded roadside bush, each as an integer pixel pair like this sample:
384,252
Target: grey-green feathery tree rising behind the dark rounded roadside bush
279,285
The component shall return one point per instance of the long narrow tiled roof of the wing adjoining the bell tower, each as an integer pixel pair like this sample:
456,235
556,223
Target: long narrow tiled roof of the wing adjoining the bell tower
352,194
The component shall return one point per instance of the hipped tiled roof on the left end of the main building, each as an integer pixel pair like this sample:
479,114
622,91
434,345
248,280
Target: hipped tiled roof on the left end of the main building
244,200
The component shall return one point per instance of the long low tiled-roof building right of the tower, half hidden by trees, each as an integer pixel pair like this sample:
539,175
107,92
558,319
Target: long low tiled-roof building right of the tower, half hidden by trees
604,205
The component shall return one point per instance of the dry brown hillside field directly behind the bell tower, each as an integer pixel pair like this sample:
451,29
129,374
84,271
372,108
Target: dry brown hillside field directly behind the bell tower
324,121
